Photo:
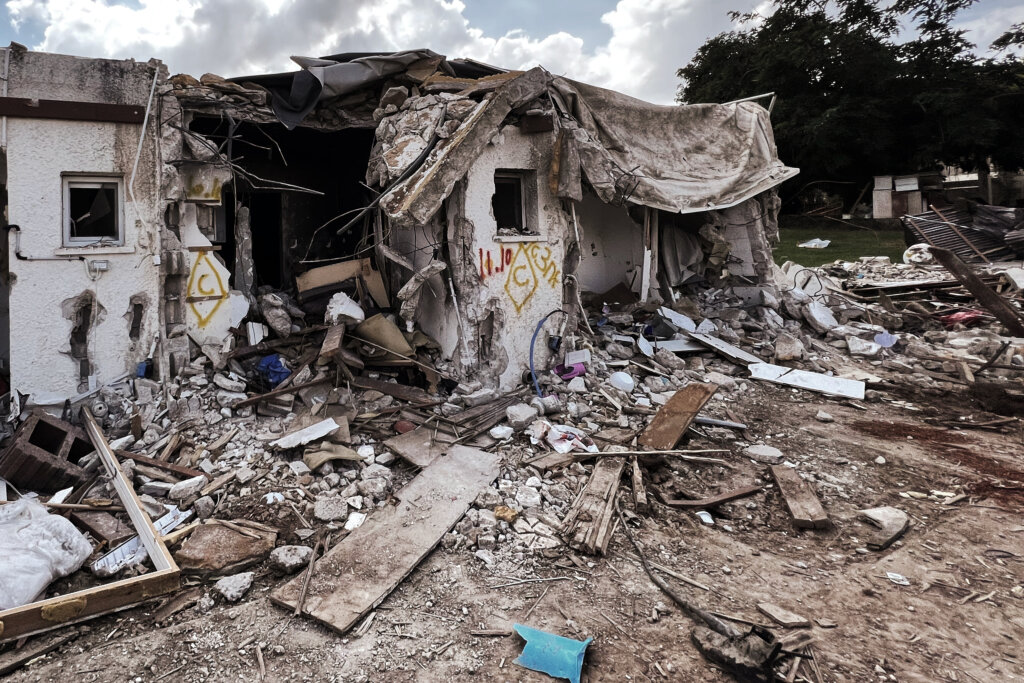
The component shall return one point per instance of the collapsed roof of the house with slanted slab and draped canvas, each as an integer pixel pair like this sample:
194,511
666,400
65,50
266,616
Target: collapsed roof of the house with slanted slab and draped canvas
681,159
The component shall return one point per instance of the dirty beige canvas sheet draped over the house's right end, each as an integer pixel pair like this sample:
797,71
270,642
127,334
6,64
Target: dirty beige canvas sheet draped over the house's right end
681,159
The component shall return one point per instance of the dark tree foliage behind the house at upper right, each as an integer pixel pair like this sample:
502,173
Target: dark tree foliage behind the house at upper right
855,101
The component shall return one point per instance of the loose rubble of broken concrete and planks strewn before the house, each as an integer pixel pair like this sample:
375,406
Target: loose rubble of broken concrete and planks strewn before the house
274,469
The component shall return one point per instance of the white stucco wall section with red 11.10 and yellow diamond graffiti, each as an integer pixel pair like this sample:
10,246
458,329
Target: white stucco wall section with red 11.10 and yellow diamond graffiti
525,281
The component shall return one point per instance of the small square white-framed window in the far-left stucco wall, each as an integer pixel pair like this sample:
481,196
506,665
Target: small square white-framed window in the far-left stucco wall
93,211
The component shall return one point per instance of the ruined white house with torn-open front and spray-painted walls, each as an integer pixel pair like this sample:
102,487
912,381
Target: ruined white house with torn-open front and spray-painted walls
152,218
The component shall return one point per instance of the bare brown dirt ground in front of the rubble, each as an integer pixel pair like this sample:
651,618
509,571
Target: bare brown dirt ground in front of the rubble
957,621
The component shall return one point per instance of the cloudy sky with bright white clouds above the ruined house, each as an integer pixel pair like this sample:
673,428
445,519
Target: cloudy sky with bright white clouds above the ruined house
634,47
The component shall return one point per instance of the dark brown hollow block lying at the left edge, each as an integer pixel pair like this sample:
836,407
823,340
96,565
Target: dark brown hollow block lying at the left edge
45,455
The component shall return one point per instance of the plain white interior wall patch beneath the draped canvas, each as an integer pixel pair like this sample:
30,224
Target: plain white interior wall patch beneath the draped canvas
612,249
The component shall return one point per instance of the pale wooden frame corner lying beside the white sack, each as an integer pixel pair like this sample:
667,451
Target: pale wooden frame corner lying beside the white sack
81,606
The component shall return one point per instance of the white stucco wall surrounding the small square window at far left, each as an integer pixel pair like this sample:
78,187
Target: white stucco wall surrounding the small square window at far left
38,152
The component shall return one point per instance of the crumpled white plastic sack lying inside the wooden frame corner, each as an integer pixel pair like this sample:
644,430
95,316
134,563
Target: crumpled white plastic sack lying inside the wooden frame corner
36,548
